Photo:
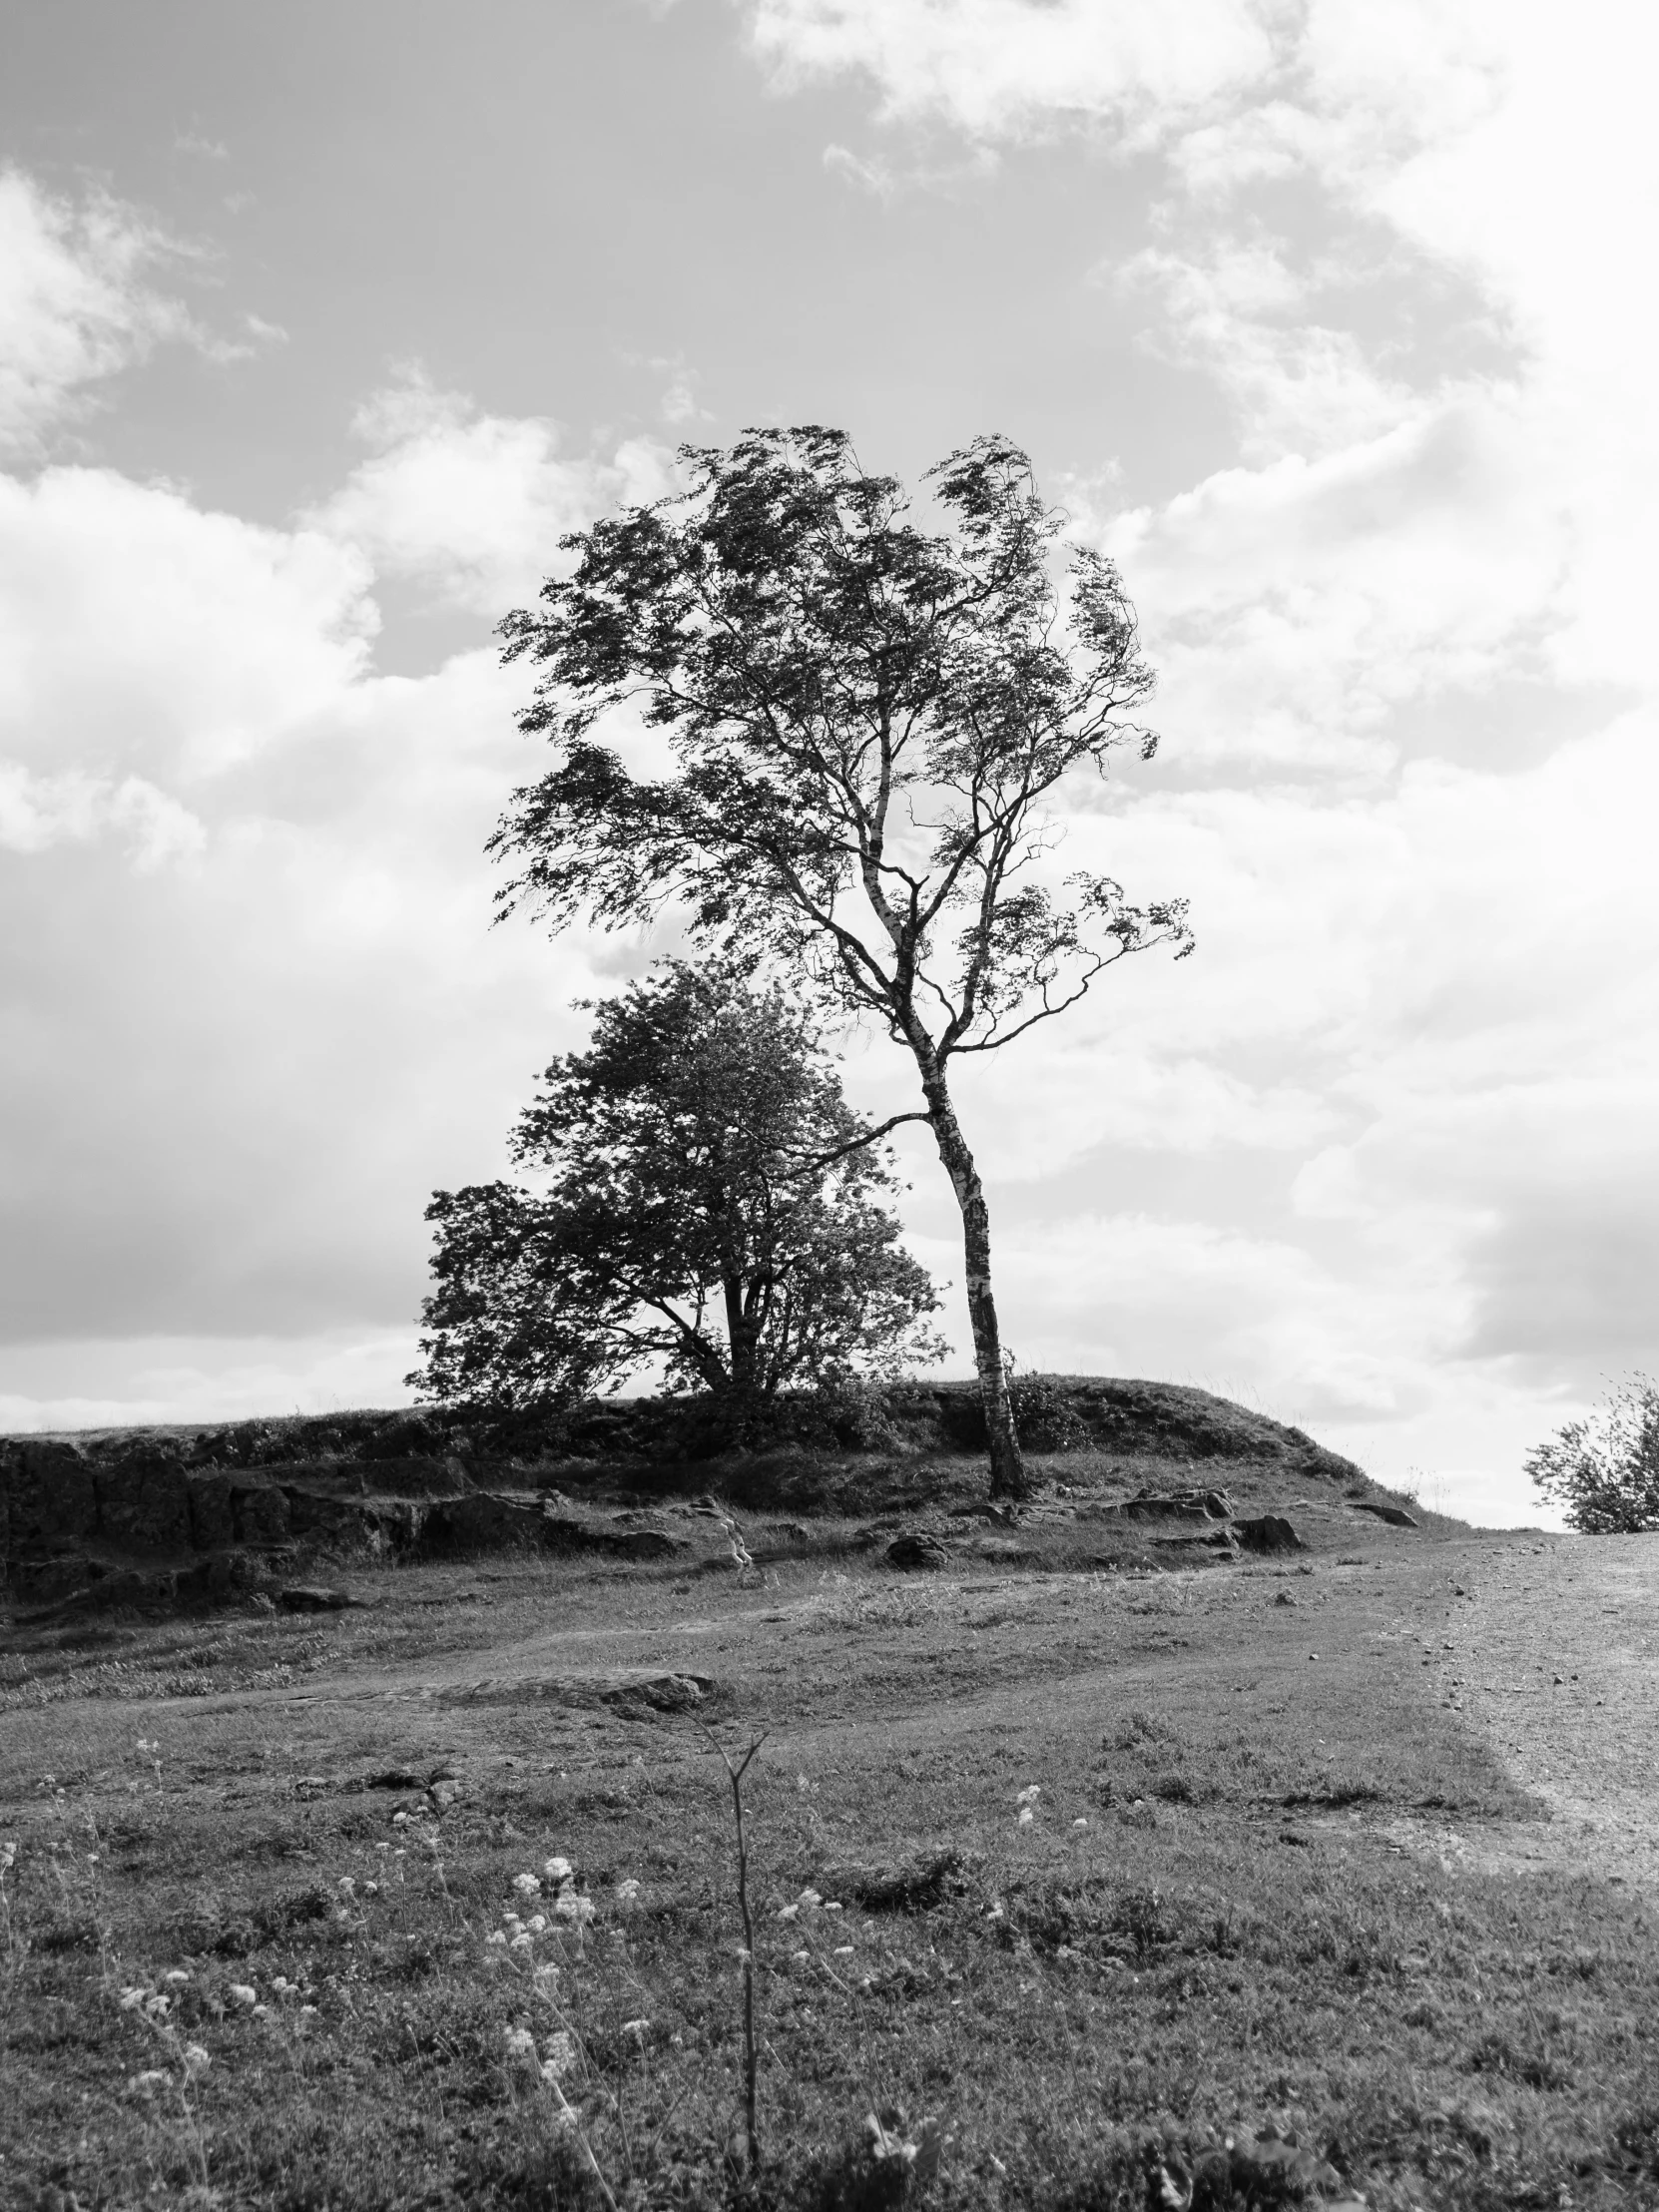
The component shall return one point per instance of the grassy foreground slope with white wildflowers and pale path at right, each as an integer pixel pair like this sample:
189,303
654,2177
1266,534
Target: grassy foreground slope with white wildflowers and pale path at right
1094,1870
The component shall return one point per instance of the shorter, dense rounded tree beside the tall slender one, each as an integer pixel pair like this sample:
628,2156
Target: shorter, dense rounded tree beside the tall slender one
705,1198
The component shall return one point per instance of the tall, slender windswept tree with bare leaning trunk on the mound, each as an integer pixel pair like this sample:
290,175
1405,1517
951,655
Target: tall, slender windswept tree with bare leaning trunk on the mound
870,724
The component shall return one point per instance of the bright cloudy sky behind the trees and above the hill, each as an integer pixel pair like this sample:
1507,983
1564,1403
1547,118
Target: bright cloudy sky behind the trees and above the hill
1331,324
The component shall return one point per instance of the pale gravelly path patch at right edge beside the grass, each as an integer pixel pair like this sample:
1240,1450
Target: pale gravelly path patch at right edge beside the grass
1552,1651
